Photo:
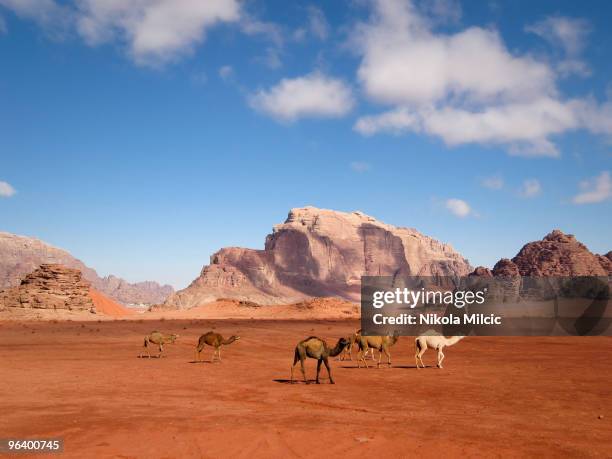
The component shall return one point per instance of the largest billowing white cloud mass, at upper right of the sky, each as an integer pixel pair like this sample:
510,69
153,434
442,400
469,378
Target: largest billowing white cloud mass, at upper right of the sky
465,88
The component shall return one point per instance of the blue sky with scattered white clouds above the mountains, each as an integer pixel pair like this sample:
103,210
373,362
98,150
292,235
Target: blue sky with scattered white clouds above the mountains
143,137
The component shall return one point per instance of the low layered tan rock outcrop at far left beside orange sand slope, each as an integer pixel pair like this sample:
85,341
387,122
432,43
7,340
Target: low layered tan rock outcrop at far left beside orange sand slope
51,286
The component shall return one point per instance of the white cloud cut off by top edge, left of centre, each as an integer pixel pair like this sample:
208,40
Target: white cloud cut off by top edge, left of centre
155,31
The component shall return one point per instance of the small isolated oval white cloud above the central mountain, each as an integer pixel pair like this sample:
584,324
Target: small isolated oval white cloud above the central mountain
312,95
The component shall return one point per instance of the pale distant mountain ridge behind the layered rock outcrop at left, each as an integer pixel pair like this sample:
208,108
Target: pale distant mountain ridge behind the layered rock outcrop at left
20,255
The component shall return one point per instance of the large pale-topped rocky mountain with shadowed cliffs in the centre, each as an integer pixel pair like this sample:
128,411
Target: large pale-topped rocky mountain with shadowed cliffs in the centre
318,253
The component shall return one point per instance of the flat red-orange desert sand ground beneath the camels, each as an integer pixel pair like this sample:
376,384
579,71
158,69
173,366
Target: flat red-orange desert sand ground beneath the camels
83,381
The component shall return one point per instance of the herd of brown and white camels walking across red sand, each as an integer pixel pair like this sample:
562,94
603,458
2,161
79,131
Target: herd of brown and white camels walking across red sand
316,348
